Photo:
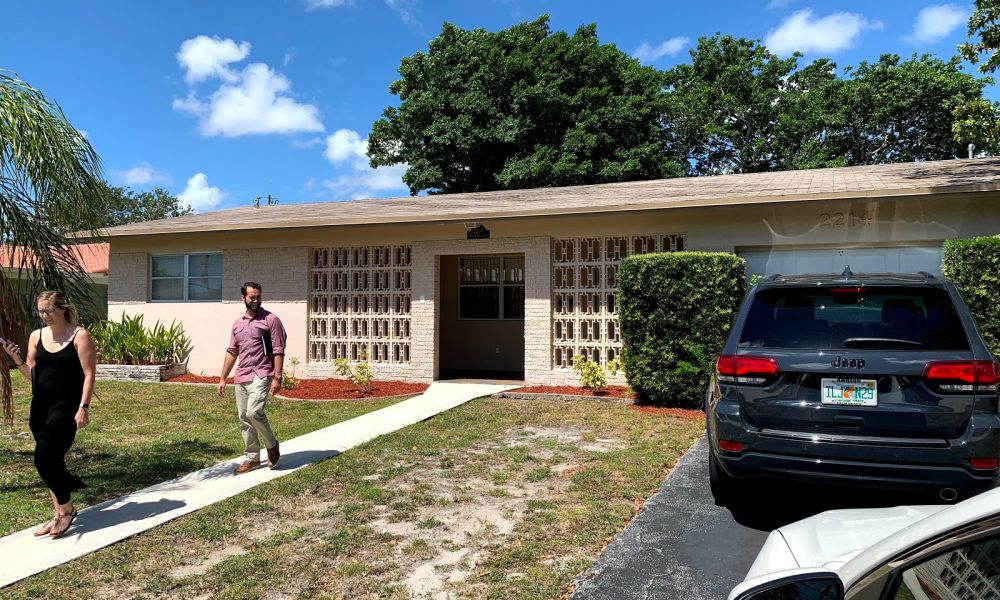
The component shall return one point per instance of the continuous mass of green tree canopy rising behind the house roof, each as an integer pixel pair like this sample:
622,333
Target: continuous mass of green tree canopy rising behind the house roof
526,107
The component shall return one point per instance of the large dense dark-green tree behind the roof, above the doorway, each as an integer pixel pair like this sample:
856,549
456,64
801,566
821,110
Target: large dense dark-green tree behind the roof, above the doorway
521,108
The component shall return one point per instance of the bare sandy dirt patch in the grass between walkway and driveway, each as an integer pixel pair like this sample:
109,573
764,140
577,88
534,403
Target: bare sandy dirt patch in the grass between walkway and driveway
450,528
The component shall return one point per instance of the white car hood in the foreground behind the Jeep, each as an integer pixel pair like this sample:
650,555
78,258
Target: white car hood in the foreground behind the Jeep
831,538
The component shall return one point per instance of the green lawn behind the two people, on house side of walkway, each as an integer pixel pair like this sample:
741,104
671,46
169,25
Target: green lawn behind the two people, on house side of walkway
141,434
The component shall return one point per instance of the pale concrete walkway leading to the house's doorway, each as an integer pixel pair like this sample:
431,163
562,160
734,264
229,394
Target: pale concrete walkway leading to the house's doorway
23,555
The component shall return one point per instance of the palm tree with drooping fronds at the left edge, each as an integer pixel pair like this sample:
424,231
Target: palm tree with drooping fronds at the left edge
49,183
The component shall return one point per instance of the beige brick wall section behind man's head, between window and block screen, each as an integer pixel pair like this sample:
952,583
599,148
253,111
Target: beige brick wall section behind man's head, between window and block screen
282,272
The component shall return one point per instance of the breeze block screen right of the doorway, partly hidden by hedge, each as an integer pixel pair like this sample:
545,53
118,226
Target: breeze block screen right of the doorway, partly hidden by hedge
584,271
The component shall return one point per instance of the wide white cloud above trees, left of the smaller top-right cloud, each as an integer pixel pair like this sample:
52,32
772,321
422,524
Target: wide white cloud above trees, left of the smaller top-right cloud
801,32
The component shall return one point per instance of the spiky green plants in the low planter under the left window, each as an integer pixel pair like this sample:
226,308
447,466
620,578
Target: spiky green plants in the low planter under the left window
128,342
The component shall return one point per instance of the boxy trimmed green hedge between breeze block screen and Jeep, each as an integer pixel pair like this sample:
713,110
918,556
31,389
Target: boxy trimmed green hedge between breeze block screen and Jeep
675,310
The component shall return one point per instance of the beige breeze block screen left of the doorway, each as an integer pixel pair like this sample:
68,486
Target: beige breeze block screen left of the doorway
359,301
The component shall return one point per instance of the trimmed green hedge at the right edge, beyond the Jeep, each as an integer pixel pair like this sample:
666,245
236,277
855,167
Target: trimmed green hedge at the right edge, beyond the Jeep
974,266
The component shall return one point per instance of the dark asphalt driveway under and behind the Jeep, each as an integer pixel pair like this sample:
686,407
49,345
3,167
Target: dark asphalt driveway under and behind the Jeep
682,546
